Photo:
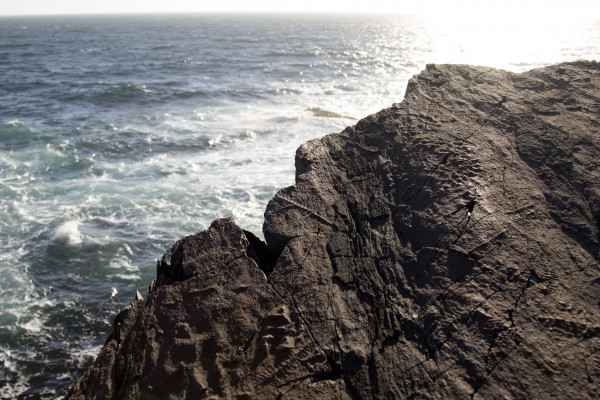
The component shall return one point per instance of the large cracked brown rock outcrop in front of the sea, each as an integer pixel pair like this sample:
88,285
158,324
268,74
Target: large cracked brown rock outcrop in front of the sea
446,247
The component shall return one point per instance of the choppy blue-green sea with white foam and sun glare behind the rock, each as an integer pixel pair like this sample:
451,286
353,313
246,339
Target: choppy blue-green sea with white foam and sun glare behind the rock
121,134
